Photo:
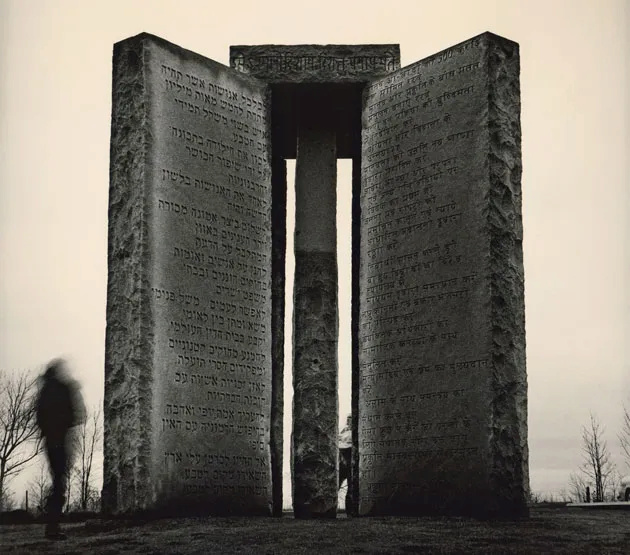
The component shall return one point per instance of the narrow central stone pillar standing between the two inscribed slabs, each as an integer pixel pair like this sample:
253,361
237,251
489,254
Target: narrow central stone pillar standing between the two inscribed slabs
315,319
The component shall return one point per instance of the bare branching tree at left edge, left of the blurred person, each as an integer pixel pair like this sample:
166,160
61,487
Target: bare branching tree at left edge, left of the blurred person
18,429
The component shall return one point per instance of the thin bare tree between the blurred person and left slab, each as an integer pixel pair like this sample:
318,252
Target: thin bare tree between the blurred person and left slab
88,436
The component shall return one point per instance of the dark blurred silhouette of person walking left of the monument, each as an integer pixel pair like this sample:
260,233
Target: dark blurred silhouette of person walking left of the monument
59,408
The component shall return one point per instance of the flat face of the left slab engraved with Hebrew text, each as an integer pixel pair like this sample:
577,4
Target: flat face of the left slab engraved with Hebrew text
208,275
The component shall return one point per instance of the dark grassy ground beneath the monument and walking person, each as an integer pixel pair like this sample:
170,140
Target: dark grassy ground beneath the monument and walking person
549,530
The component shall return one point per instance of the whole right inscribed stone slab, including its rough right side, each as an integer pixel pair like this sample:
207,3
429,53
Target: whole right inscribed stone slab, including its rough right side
442,392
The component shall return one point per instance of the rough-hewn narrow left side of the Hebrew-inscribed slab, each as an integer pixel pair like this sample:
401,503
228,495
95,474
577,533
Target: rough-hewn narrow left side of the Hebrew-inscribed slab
128,336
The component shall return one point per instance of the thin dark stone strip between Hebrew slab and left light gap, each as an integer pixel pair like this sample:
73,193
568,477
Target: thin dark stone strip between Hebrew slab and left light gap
278,280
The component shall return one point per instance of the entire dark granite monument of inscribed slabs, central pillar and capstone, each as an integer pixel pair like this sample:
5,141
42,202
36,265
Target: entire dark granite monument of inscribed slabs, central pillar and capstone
197,236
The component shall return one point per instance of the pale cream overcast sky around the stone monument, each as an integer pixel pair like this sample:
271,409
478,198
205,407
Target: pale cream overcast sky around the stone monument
55,108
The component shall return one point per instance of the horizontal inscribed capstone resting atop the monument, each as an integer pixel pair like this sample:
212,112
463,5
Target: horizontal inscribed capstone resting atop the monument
311,63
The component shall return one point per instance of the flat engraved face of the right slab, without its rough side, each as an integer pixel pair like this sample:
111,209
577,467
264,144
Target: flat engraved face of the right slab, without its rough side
425,308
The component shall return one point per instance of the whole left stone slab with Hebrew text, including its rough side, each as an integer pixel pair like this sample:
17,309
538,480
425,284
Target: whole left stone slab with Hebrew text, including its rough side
188,343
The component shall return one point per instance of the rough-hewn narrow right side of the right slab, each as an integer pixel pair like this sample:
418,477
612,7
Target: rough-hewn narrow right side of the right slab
509,474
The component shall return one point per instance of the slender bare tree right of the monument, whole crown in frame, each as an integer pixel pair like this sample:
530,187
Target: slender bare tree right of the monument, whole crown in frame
597,464
